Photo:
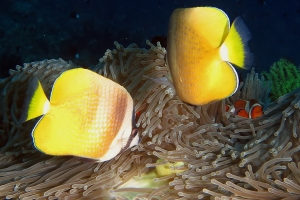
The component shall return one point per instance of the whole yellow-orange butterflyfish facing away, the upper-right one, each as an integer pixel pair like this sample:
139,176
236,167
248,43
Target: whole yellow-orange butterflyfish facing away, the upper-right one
201,47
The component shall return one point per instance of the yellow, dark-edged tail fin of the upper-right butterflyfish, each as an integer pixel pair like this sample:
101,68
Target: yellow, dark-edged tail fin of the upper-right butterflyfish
235,48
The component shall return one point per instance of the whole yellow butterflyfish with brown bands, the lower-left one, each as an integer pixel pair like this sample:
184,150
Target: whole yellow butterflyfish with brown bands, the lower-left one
88,116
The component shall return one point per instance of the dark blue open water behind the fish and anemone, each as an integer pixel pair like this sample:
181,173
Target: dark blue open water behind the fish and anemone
82,30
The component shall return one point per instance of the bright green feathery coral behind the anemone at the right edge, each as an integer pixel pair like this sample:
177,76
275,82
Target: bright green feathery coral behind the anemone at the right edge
285,77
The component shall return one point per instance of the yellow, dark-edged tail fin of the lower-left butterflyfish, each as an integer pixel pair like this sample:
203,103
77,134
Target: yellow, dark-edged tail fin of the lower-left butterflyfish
36,102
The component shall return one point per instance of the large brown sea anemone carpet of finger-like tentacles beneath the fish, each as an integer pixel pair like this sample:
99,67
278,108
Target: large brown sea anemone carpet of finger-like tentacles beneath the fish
220,155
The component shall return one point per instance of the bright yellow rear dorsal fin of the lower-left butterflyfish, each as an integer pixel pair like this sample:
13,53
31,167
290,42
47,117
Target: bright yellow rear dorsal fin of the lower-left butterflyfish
70,83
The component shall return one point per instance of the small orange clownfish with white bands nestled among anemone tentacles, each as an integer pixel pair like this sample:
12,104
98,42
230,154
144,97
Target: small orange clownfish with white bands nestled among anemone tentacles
248,109
